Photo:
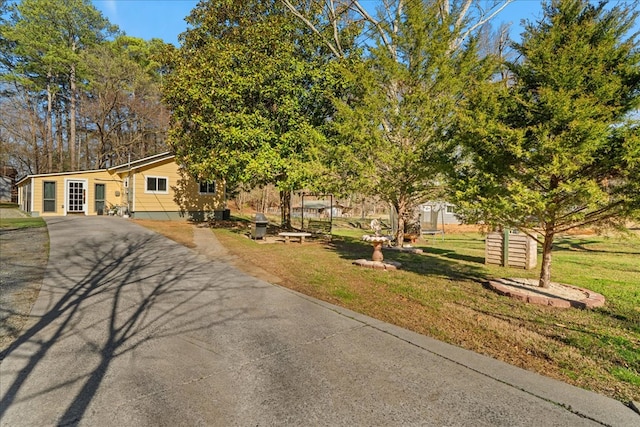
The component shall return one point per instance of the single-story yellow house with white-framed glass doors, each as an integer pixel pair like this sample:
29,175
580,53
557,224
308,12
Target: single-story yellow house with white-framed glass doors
155,187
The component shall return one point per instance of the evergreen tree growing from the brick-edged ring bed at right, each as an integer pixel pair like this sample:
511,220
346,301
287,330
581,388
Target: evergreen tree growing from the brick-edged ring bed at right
558,147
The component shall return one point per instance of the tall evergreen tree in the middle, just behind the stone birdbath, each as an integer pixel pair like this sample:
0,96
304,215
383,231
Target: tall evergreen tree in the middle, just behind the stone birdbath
393,130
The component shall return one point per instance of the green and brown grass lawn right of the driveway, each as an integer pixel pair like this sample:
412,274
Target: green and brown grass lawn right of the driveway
442,294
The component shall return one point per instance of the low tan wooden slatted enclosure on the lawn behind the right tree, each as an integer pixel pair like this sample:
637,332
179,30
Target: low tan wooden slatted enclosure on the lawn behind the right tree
511,250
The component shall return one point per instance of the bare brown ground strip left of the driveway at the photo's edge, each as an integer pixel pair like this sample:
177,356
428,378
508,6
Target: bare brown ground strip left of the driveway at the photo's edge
24,258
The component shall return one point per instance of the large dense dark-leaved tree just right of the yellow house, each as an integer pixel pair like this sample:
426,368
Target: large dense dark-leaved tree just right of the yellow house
240,96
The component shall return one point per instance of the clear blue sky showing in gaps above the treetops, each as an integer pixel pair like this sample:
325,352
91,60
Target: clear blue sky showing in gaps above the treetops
164,19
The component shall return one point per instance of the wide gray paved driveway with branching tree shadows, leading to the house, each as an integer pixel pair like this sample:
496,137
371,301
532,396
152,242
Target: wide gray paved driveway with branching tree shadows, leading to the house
132,329
